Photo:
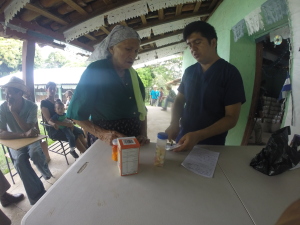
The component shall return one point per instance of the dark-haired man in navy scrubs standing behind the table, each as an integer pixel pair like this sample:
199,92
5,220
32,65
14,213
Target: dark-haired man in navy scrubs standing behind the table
210,95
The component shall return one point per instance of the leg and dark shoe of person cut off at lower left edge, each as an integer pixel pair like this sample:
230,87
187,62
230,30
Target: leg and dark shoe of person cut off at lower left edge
7,199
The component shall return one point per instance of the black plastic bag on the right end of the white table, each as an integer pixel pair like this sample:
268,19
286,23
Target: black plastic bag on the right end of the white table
277,156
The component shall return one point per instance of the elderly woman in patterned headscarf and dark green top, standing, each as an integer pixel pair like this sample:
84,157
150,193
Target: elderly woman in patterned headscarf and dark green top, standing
109,99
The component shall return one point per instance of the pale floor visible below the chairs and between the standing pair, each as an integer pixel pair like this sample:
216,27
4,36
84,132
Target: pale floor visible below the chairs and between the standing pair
158,121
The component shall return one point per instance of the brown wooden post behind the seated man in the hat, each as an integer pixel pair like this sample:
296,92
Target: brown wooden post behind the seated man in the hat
28,67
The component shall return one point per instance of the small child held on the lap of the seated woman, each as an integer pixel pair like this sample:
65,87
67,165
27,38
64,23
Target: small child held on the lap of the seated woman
62,117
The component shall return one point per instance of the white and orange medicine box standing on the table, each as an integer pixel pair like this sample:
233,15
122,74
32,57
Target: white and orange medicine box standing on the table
128,155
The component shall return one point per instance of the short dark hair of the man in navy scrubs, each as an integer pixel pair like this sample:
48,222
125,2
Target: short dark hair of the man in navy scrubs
205,29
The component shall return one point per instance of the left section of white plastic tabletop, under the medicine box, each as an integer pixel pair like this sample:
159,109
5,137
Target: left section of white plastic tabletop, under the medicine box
169,195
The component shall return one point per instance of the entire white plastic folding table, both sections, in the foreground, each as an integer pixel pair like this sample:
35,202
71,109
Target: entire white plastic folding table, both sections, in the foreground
237,194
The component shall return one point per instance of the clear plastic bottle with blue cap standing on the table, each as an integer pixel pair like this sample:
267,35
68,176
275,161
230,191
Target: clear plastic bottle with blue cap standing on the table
160,152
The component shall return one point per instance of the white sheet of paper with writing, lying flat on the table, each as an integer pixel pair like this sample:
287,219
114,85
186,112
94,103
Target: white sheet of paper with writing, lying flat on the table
201,161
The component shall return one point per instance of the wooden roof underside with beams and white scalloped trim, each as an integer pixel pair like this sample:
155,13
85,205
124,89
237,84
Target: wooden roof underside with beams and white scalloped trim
85,23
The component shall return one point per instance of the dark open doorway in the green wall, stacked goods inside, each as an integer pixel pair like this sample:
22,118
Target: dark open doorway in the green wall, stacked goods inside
266,112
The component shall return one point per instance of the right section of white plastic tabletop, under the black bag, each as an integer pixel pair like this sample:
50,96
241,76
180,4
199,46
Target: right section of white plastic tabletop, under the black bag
265,197
